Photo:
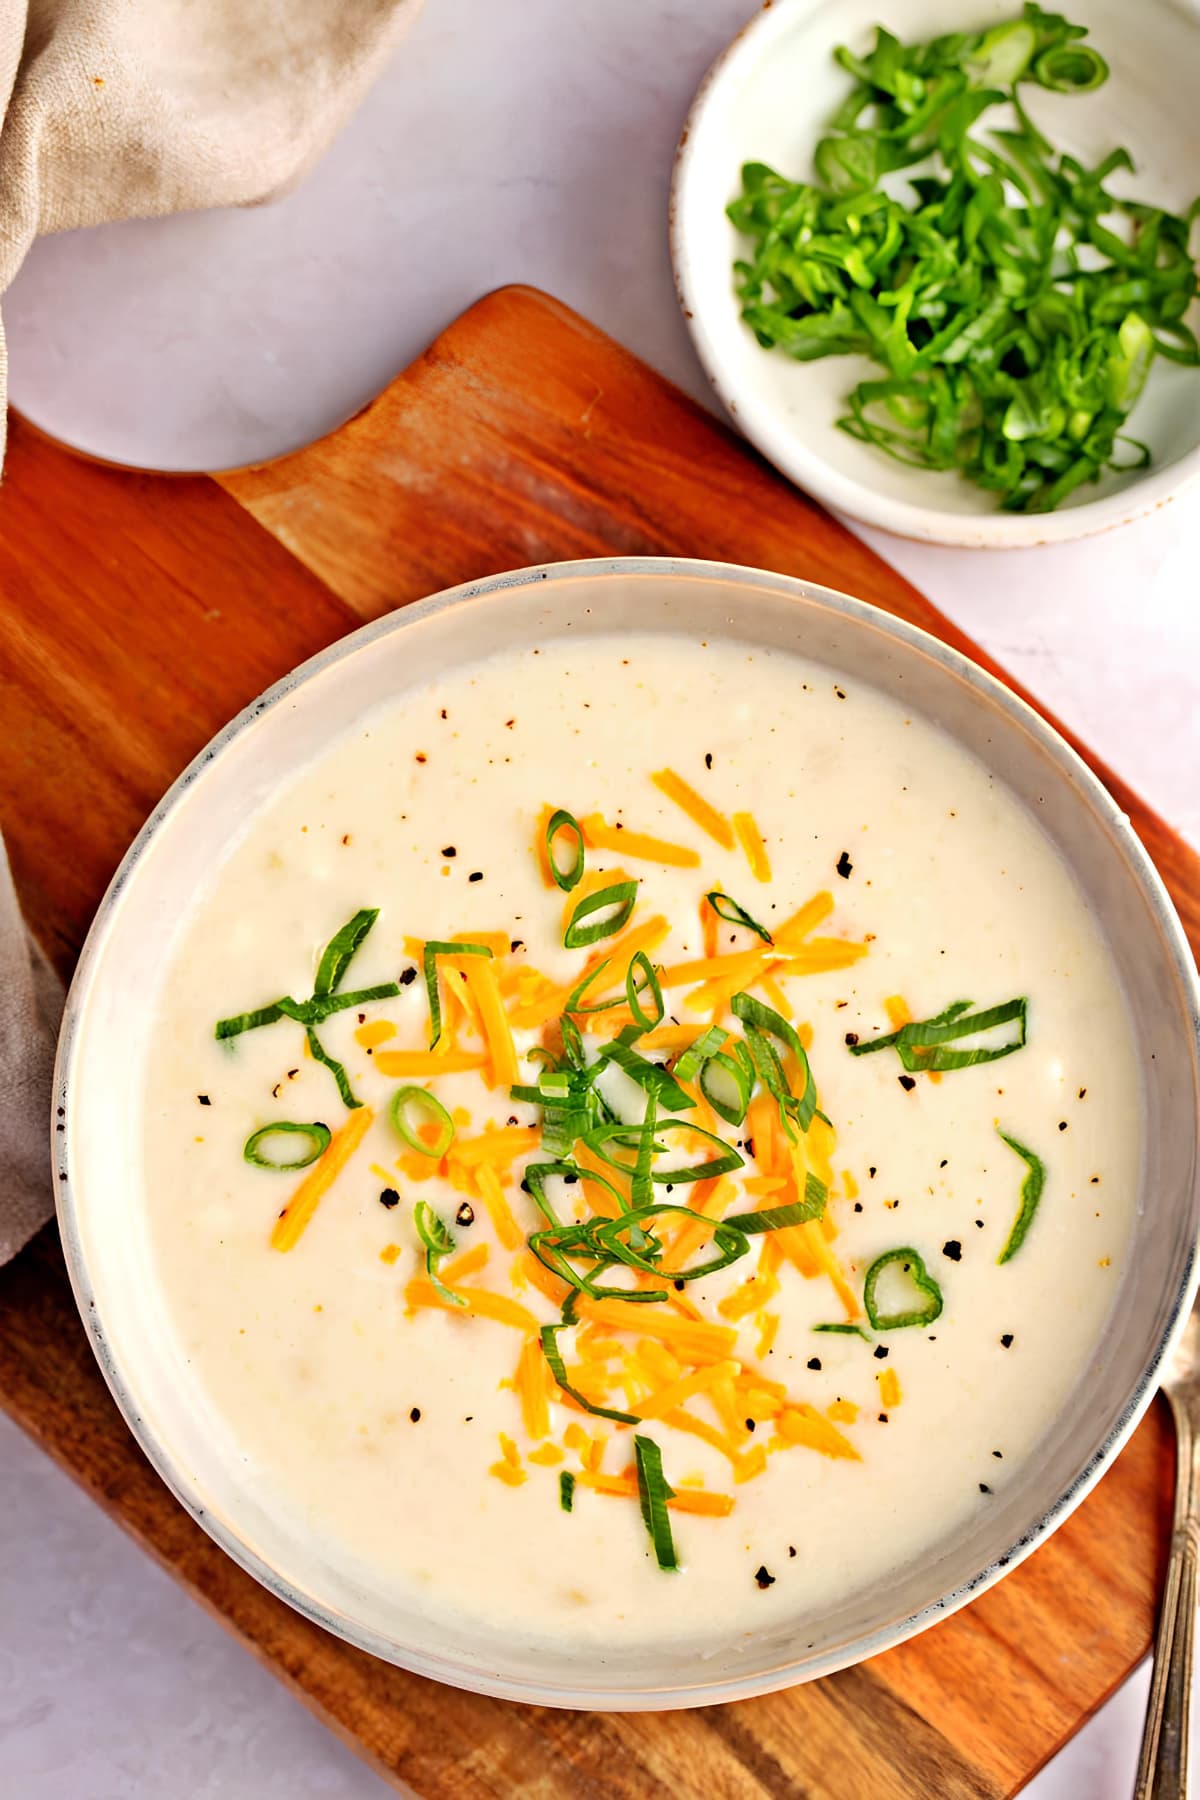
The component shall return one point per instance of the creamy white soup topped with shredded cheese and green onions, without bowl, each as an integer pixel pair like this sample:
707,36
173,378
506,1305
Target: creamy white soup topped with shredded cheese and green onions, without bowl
641,1140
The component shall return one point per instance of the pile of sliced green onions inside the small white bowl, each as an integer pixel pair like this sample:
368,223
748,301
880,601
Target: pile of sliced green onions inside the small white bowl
987,287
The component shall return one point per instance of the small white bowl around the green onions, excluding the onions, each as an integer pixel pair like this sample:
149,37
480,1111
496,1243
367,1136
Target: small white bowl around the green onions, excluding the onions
769,100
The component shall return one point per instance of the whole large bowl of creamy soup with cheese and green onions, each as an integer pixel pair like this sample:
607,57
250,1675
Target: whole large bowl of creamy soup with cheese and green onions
629,1135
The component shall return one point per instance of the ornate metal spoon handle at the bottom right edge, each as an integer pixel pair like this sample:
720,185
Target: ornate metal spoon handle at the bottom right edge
1163,1765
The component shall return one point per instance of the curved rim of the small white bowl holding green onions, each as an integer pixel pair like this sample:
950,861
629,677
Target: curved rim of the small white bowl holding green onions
764,426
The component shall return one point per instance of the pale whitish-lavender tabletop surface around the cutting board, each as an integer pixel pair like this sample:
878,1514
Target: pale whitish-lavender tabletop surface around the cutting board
523,143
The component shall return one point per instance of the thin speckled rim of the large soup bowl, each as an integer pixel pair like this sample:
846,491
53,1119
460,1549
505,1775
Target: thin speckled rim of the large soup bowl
125,1390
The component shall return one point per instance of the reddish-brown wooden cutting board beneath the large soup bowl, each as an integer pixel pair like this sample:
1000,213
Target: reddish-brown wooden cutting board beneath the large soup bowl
138,615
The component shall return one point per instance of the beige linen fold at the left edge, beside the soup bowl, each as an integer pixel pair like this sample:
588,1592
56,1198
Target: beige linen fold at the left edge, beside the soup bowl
31,1003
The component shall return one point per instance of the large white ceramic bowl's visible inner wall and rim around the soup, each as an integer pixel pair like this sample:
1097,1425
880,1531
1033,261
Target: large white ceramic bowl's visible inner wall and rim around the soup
107,1038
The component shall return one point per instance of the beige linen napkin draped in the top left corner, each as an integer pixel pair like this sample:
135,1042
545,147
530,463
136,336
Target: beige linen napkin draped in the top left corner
132,109
